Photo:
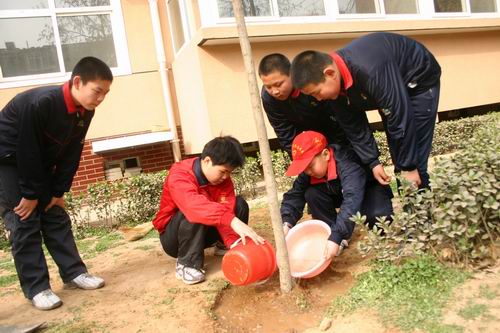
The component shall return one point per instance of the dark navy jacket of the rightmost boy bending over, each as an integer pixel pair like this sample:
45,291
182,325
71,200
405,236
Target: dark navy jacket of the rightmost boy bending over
387,69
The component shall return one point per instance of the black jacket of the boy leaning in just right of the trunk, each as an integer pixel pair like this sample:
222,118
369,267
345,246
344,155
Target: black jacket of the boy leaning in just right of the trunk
298,114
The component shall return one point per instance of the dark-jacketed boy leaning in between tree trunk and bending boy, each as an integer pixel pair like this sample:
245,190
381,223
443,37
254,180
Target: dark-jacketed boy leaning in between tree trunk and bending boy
291,112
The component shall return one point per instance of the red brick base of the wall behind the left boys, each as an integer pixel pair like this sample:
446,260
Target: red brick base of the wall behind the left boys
152,158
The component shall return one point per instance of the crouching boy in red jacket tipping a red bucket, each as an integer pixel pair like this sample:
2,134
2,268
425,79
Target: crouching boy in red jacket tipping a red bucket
198,207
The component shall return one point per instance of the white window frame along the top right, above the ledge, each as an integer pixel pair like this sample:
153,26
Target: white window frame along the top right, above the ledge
210,16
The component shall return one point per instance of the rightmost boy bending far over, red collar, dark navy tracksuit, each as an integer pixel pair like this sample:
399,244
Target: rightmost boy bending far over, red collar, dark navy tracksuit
389,72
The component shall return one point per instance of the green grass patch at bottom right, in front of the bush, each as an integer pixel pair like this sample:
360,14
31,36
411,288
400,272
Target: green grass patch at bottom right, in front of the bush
410,296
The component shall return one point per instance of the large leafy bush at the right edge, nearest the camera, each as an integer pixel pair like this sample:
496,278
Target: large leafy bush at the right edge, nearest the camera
459,219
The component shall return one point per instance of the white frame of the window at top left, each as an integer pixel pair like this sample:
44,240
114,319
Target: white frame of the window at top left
119,40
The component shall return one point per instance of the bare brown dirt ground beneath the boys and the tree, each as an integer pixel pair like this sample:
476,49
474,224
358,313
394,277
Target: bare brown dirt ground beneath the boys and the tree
142,295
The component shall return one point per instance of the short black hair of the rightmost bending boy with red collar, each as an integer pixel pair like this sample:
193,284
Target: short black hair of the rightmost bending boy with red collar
307,68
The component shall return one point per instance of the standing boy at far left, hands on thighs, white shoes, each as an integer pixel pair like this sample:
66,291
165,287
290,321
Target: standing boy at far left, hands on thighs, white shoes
42,132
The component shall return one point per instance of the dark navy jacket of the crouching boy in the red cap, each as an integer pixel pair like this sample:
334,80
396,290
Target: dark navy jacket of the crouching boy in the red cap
349,186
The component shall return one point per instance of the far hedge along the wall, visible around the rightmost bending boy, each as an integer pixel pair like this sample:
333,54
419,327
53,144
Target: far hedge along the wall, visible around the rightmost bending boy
448,136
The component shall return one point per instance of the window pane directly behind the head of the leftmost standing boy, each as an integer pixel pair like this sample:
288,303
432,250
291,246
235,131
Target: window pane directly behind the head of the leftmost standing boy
90,35
